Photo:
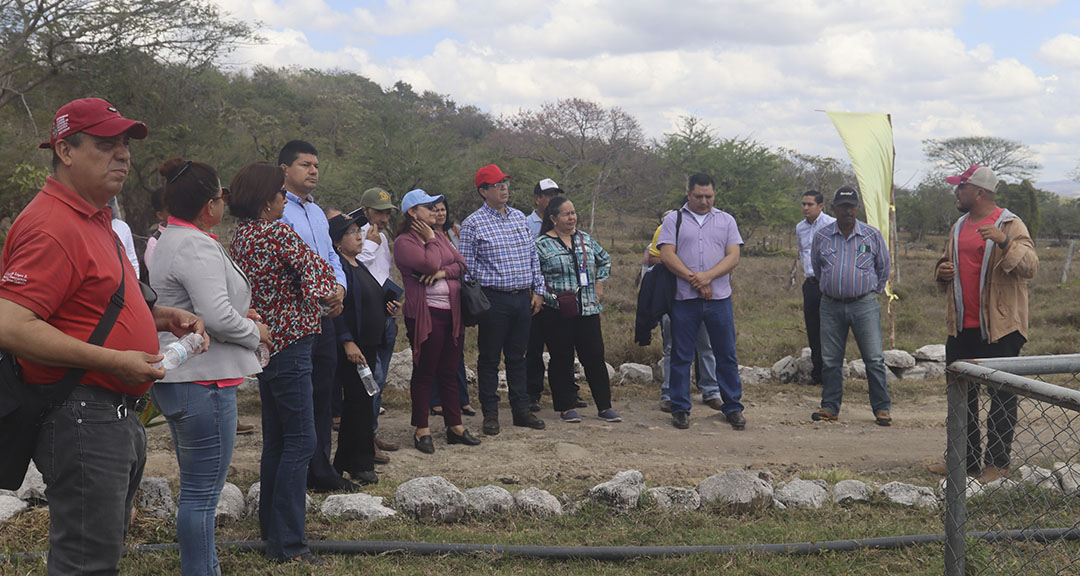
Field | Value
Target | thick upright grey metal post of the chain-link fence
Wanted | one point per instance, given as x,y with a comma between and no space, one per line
956,460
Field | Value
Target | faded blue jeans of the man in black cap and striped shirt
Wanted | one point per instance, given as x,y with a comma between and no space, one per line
865,319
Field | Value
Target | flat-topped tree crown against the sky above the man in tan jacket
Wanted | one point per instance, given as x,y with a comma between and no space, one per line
1008,158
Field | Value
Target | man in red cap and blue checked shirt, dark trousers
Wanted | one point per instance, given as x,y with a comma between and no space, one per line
502,257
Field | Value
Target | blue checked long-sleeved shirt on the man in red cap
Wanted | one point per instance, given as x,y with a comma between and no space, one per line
499,251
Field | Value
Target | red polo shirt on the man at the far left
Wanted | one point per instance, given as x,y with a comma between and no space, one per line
60,261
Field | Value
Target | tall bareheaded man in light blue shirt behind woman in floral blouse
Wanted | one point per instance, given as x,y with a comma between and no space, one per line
301,163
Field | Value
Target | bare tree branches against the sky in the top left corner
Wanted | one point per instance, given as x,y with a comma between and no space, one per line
40,39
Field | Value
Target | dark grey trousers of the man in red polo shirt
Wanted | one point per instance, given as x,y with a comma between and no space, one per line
91,456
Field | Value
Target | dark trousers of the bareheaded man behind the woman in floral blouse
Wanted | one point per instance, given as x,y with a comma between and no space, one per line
323,372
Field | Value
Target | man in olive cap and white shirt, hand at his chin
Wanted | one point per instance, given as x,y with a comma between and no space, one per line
377,207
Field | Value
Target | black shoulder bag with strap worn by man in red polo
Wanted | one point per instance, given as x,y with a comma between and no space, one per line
23,406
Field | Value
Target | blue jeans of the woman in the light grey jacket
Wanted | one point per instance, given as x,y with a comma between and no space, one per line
204,423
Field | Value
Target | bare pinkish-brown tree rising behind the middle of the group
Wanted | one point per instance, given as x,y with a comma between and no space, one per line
582,140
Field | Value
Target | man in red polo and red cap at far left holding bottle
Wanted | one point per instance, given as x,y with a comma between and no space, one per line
61,266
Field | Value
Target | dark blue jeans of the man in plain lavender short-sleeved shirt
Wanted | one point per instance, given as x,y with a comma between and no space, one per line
719,319
